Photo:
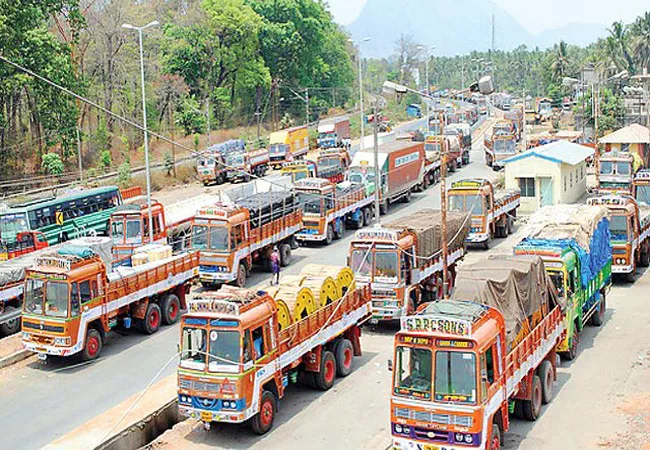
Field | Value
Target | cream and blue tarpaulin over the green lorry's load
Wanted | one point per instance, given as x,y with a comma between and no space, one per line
583,228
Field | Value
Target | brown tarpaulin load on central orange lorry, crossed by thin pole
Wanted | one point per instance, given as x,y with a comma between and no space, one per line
427,226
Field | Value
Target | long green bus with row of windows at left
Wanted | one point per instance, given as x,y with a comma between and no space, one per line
75,215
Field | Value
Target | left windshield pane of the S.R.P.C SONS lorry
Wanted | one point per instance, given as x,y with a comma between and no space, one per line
413,370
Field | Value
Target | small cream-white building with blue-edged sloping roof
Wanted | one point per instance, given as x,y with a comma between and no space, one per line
548,175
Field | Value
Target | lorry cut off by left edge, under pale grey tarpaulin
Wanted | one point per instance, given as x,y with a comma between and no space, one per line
12,280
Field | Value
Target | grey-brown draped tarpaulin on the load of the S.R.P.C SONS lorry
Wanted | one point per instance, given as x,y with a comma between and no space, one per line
518,286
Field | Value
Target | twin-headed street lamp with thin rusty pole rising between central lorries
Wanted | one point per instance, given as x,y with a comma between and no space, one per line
485,87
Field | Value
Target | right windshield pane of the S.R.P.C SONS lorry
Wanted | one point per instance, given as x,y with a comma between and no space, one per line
455,377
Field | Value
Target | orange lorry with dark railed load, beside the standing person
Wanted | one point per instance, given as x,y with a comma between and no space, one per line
243,229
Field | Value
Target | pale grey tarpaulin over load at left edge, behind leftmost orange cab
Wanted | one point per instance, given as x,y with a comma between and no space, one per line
13,271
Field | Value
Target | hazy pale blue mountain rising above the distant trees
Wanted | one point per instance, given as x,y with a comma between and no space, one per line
454,27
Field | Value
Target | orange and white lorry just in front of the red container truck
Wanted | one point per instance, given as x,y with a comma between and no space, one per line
327,208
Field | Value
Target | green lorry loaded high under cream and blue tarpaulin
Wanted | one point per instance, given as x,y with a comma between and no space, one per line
573,241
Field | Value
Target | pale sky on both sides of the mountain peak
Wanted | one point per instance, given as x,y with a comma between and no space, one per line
534,15
